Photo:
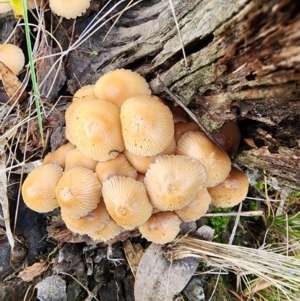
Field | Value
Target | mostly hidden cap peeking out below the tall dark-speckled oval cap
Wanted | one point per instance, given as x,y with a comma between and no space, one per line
141,164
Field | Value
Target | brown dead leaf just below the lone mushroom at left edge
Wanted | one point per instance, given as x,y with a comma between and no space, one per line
12,85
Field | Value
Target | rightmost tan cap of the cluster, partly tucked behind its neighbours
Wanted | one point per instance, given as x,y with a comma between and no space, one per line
231,191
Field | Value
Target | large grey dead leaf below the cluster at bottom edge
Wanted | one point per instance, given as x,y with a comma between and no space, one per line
157,279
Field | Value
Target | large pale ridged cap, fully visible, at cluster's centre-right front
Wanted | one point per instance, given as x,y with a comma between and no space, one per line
173,181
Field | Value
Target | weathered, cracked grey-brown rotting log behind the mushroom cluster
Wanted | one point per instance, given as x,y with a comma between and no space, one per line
242,64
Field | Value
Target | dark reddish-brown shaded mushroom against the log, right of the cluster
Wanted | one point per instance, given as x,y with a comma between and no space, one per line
229,137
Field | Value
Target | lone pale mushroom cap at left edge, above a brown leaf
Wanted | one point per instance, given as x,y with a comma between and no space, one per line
13,57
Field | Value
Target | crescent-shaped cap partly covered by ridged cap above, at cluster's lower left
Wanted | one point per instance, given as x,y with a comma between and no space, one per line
93,221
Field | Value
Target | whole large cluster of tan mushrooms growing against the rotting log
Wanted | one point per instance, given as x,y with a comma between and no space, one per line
132,161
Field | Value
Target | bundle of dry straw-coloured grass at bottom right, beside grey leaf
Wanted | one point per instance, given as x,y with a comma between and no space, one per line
280,271
